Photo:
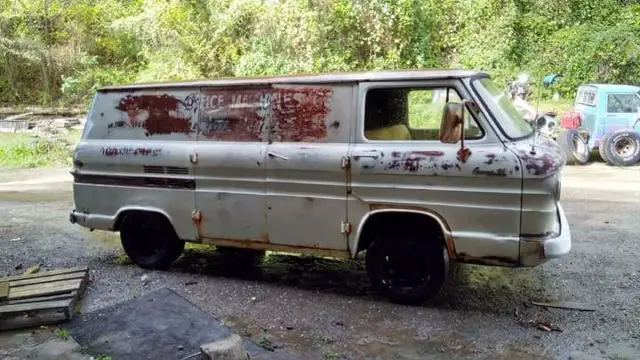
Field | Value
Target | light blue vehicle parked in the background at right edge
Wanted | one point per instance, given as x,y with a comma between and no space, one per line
607,118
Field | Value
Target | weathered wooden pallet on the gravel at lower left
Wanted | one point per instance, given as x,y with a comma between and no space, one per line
38,294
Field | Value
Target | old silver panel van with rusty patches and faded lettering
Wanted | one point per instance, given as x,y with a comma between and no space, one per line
413,168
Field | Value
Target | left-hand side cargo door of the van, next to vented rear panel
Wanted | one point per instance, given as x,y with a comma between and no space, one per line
230,169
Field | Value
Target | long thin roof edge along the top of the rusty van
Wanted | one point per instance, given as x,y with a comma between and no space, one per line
344,77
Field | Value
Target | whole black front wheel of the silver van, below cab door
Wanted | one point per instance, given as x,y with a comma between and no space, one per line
425,264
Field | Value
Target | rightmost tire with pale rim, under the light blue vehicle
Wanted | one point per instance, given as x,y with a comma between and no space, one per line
621,147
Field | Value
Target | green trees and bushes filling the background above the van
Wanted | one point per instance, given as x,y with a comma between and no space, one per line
63,50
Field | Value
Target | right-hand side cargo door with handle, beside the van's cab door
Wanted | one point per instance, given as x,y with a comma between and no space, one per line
306,185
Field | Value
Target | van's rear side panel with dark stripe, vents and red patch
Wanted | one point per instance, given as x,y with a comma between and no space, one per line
134,154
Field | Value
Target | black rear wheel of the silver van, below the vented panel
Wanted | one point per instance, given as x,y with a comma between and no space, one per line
150,240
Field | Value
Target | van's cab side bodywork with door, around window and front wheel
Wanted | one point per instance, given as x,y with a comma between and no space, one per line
479,200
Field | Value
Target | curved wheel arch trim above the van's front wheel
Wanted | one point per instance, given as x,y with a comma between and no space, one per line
368,220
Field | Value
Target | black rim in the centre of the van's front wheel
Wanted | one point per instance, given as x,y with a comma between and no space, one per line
405,266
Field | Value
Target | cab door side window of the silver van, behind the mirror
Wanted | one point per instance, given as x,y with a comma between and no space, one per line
411,114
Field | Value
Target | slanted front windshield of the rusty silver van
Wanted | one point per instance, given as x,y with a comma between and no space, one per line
509,119
